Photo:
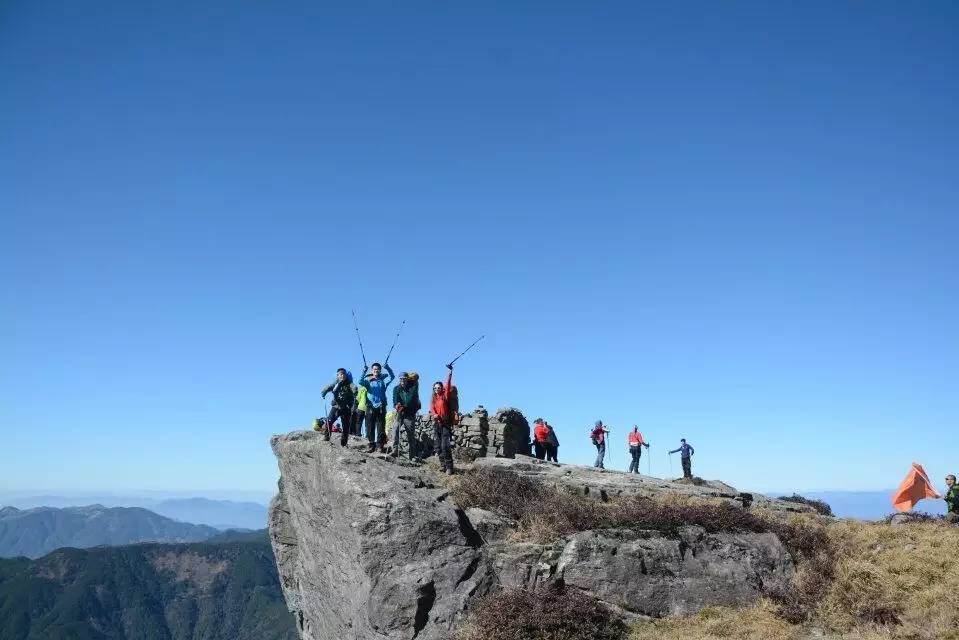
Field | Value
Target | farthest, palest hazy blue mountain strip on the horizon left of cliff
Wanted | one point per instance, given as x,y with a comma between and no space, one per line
222,514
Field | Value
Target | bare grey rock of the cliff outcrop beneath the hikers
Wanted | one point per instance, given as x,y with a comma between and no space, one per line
369,548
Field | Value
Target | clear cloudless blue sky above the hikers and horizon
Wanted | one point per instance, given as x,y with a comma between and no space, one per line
735,222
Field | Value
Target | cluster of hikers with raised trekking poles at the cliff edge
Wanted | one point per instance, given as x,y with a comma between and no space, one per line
355,404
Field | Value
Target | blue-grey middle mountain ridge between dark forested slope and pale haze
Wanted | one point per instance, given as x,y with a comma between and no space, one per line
36,532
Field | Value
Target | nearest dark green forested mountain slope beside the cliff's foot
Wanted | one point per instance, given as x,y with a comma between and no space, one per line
224,589
